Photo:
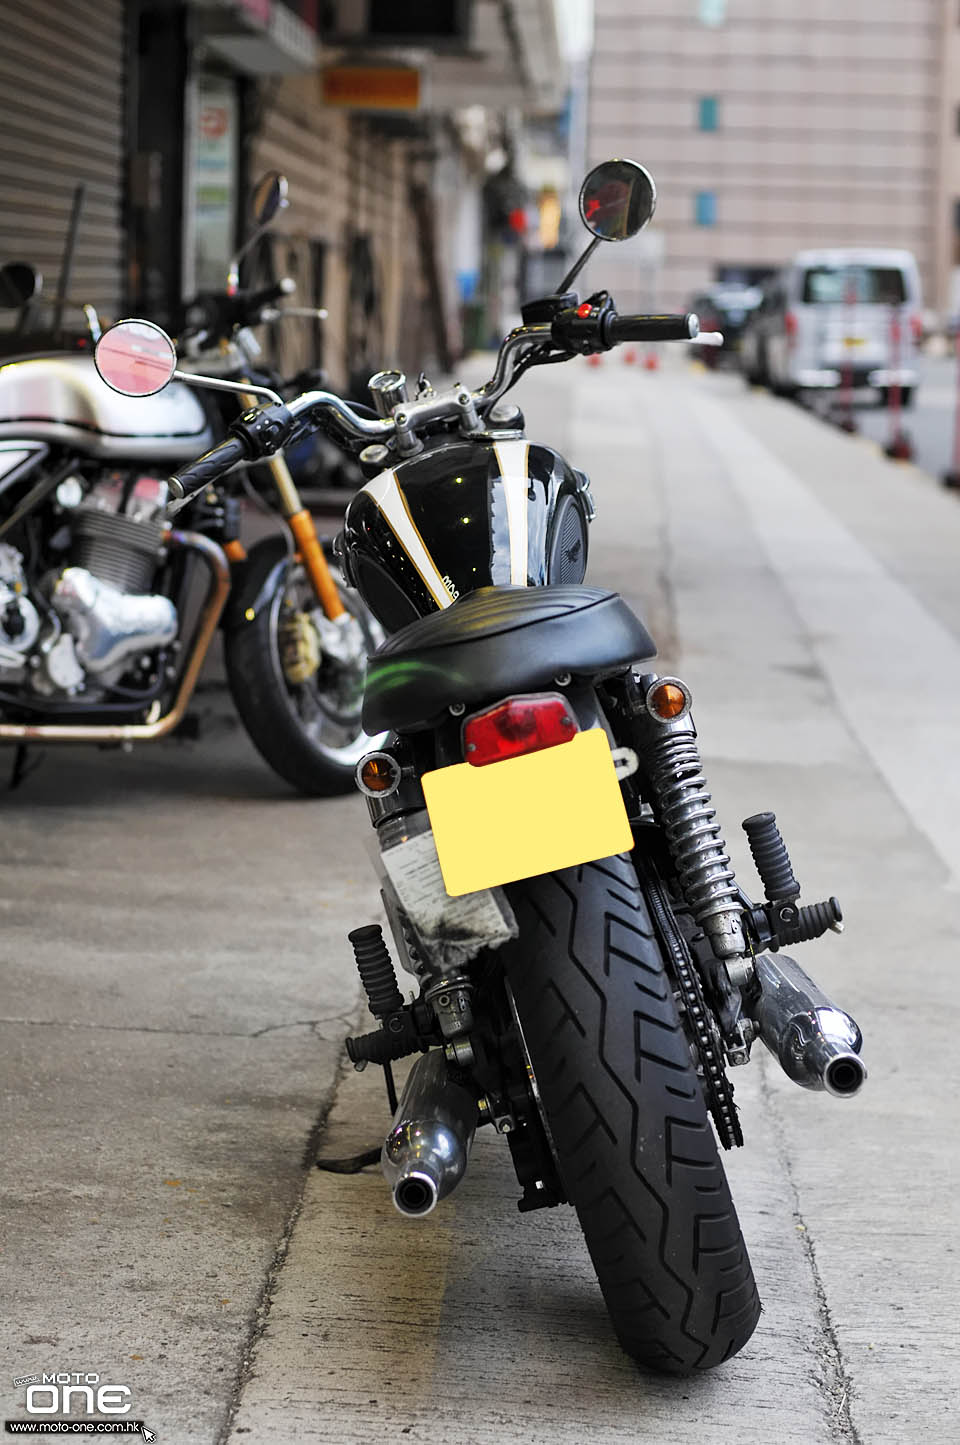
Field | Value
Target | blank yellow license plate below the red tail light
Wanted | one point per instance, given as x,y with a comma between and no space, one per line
527,816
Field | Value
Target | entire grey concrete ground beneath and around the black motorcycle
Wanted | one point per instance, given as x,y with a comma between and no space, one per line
177,986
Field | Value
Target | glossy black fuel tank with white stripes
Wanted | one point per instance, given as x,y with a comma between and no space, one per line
465,515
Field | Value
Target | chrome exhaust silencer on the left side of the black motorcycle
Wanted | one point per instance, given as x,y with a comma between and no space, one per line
426,1154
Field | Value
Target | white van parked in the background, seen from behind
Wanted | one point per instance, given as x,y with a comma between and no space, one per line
829,320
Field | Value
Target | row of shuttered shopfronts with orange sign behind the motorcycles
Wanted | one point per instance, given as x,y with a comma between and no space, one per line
167,112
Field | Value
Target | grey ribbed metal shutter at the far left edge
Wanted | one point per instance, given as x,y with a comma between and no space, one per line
61,122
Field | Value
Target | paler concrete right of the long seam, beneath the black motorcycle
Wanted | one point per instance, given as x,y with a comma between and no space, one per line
731,521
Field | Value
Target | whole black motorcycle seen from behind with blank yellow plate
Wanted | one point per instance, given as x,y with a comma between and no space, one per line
552,866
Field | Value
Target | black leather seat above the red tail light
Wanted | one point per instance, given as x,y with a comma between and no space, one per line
495,642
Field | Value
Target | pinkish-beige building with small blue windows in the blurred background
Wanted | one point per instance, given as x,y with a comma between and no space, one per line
779,125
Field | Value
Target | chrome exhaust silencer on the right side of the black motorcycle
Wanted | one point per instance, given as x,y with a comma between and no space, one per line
816,1044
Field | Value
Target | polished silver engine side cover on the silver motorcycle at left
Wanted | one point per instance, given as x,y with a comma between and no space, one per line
108,625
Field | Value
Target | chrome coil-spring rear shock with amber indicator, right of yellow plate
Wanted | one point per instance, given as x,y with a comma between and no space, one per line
687,816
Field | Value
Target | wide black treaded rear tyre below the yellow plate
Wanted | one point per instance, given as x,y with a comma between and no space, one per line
627,1118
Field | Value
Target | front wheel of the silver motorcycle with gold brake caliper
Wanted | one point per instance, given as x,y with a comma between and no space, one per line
297,680
